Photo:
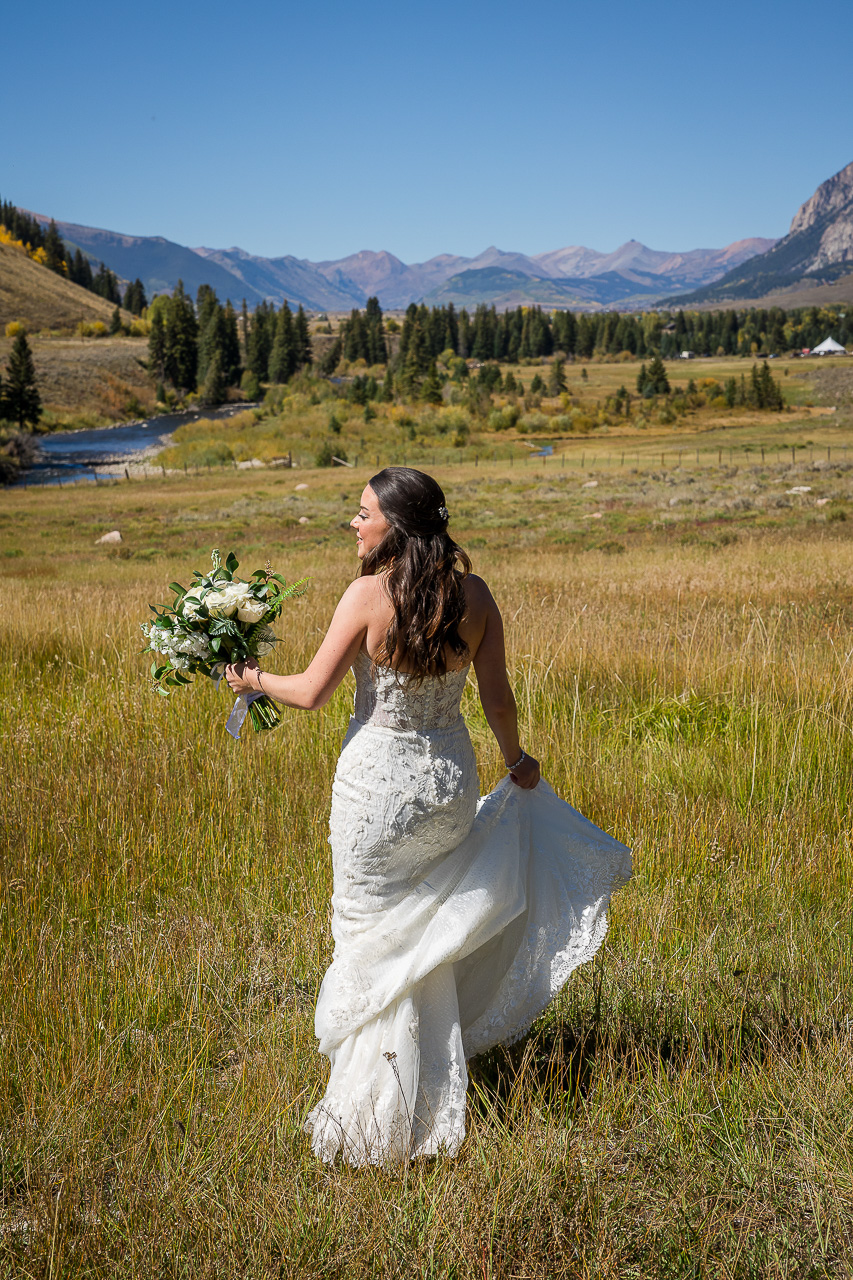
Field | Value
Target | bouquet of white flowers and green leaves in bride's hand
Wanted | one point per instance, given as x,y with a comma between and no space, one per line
218,620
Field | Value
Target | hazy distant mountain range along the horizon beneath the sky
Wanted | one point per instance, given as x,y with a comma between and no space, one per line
574,276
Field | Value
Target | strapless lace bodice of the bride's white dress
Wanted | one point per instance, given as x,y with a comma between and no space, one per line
394,701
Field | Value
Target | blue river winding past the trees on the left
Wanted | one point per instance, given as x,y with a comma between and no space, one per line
106,451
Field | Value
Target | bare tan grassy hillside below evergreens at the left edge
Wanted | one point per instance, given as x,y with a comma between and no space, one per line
42,299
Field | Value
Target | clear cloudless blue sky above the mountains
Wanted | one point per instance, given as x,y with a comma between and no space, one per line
321,130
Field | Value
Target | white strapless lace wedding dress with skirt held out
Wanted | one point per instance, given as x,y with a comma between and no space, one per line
455,918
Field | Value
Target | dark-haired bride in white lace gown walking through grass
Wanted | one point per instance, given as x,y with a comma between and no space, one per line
455,918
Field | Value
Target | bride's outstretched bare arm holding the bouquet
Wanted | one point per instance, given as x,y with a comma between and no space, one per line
313,688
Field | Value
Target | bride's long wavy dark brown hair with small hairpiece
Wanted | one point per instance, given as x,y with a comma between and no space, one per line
425,574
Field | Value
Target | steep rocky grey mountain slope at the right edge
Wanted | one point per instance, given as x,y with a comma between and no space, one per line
818,250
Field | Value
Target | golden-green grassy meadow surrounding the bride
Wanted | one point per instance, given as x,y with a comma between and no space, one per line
679,642
